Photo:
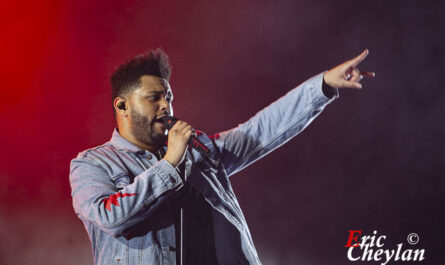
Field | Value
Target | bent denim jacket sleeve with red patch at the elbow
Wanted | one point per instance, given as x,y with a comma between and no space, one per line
97,200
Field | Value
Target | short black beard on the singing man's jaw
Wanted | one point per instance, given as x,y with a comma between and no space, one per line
142,129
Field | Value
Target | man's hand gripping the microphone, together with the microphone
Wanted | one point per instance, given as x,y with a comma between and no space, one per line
180,135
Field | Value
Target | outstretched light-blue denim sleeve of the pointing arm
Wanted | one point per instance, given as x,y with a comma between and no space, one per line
273,126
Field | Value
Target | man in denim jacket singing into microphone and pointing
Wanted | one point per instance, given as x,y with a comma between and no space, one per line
148,198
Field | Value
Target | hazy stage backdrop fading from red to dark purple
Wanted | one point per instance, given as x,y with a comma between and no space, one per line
373,160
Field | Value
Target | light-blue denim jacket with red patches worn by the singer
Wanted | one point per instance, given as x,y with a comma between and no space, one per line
122,193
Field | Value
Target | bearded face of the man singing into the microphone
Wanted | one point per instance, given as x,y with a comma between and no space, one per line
149,104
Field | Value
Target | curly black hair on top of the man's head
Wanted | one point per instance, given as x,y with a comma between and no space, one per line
127,76
